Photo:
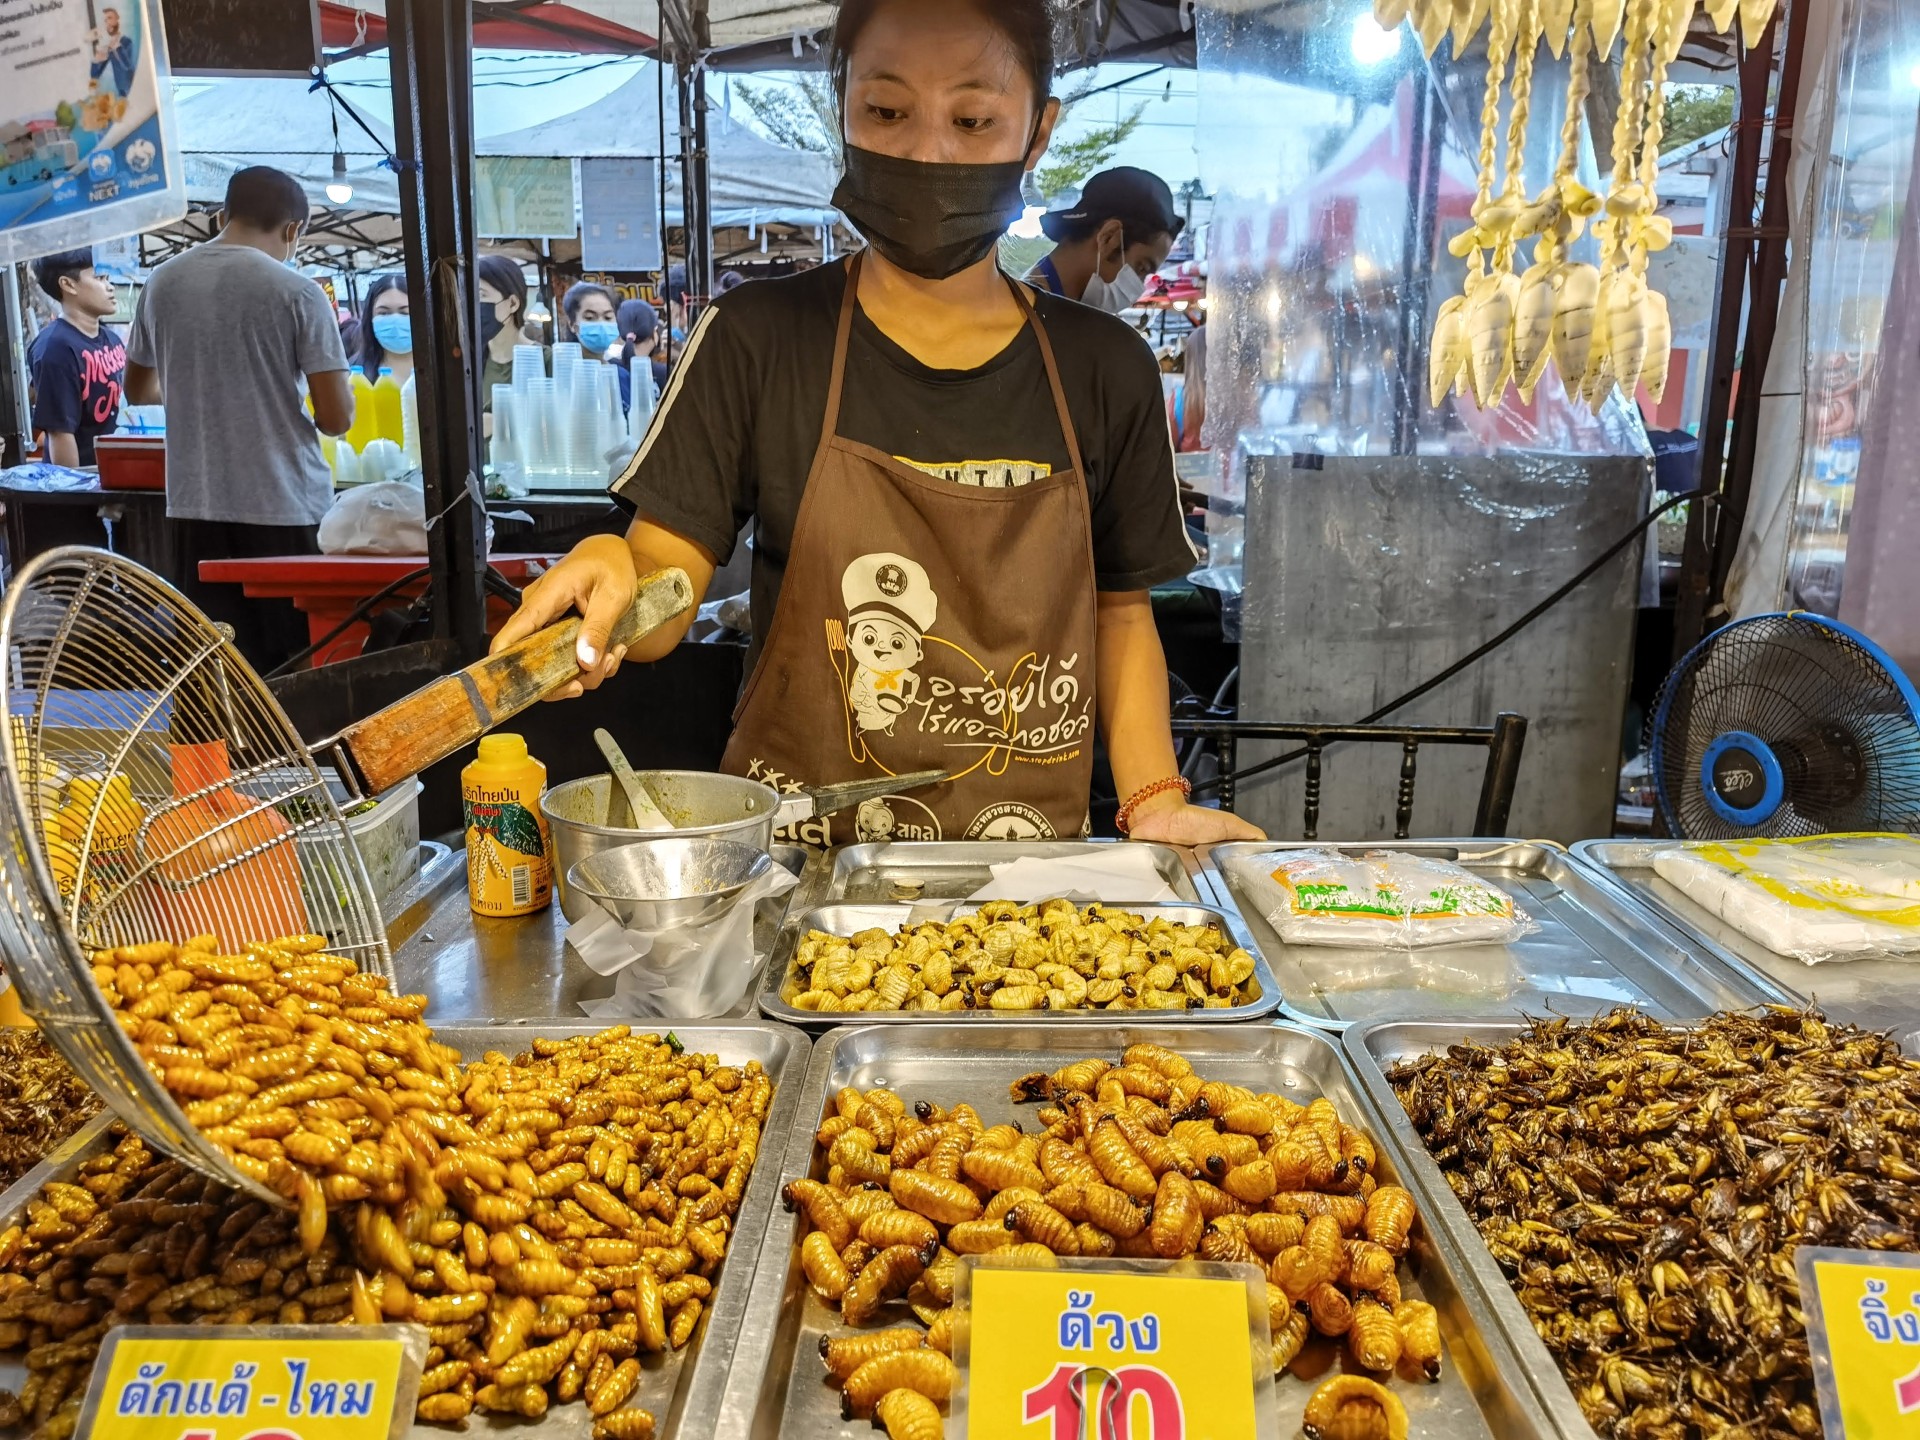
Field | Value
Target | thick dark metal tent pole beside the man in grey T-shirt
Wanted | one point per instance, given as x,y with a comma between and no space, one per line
431,49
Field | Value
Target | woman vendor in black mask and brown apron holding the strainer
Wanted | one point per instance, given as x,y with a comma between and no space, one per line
963,489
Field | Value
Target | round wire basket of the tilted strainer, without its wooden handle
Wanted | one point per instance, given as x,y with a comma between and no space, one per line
107,669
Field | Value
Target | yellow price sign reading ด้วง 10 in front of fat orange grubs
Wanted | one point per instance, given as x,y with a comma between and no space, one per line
1115,1351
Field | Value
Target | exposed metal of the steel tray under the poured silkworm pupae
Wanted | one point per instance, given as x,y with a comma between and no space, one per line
684,1389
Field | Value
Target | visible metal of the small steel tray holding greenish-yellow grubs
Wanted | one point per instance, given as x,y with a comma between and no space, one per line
853,919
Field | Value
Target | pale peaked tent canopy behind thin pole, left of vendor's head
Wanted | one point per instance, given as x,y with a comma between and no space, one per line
752,181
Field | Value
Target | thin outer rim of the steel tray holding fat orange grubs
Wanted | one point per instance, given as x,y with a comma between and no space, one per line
773,1260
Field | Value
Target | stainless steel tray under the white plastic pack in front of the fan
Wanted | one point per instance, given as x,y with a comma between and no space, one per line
1871,994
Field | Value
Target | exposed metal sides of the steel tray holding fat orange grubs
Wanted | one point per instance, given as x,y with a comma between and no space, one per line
779,1385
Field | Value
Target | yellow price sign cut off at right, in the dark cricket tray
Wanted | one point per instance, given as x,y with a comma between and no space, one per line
1863,1326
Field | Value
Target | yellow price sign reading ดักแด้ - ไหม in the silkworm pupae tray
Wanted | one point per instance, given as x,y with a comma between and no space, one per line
254,1383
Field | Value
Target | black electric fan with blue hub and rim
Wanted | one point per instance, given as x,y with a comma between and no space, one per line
1787,725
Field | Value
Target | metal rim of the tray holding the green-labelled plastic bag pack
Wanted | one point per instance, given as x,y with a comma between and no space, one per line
1727,972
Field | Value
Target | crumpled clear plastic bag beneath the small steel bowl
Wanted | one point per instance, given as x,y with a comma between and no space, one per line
690,972
